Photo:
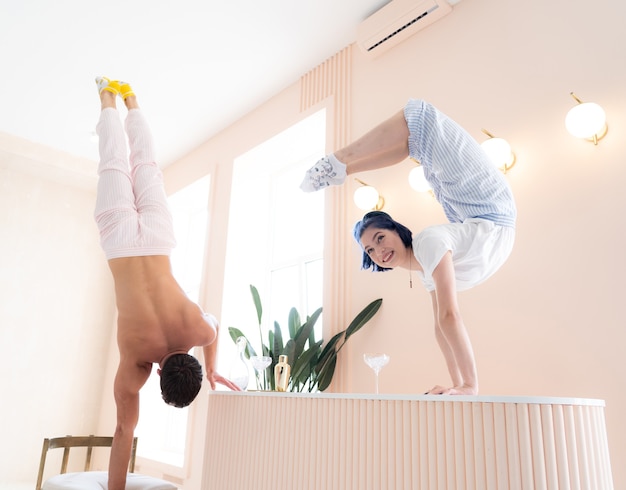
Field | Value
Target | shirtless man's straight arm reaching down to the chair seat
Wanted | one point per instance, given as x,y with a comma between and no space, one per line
128,381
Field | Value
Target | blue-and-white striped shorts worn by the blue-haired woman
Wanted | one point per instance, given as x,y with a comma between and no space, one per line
460,173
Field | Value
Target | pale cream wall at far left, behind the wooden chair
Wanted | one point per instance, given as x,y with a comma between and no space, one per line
57,309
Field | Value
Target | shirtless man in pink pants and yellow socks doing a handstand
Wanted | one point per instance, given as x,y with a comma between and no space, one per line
157,323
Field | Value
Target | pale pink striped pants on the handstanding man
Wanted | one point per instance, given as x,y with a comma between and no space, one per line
131,212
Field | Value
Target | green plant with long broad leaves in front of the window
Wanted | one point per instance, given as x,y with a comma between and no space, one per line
312,362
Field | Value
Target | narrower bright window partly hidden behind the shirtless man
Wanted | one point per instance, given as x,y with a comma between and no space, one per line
162,429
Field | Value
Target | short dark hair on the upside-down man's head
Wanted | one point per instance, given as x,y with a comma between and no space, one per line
181,379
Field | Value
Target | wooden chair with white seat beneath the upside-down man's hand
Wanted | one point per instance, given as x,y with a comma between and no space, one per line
87,479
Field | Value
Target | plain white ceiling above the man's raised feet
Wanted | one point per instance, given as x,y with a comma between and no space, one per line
196,65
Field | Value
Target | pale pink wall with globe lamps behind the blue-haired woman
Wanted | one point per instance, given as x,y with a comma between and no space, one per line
549,323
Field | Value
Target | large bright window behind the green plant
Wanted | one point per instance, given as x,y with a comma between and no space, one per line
276,234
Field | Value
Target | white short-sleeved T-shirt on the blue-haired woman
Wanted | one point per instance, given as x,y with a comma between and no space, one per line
479,248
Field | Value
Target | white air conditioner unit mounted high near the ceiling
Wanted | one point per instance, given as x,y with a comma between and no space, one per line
398,20
